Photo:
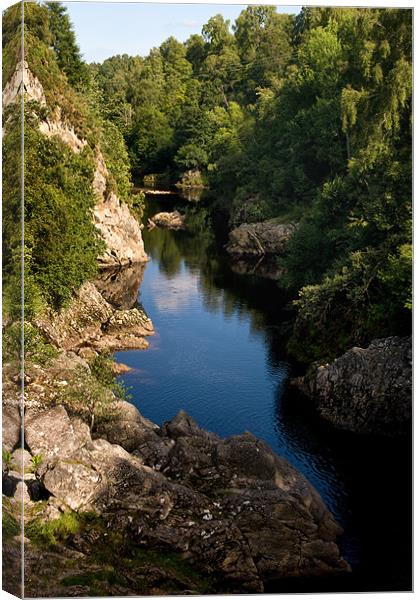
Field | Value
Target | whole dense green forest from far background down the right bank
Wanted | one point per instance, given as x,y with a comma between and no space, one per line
305,119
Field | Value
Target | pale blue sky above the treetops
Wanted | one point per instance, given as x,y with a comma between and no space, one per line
105,29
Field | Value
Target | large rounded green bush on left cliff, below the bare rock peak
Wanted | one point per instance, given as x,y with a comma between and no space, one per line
62,243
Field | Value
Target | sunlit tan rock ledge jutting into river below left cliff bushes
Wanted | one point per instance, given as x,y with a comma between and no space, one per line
92,321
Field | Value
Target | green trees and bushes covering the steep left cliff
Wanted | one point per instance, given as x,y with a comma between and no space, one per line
61,243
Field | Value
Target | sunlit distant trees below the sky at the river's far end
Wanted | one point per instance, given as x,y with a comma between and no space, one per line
182,107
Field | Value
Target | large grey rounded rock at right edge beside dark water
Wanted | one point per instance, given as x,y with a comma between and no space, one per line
365,390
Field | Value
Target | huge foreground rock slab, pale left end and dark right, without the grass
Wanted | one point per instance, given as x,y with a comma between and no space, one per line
229,507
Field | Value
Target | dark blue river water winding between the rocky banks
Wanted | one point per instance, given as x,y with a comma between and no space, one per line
219,353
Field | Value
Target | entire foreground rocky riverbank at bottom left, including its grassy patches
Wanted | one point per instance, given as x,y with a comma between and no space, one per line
233,516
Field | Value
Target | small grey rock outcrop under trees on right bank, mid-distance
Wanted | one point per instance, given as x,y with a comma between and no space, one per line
258,239
